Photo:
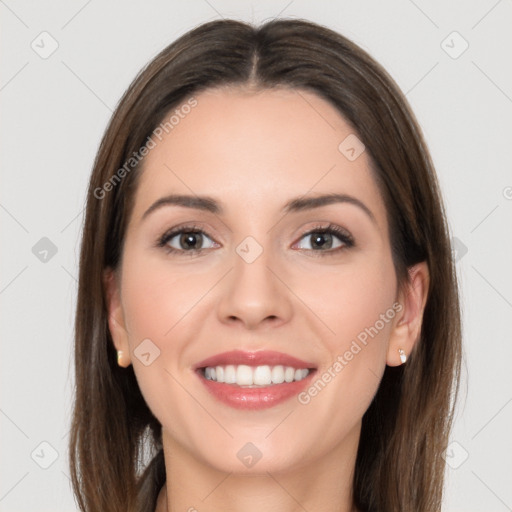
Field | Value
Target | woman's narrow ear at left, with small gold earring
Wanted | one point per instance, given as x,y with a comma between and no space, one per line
116,321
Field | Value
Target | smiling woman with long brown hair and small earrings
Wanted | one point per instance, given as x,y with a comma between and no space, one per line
268,315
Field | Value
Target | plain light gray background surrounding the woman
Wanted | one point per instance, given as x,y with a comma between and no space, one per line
55,108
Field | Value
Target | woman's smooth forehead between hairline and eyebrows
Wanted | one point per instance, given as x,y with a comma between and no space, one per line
256,149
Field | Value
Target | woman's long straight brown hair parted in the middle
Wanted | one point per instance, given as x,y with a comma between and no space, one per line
399,464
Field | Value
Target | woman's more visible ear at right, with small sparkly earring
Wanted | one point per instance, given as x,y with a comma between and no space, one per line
407,325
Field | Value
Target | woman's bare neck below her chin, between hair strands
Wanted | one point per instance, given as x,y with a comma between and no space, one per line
325,484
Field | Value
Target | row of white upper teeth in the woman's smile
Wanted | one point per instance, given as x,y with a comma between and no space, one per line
254,376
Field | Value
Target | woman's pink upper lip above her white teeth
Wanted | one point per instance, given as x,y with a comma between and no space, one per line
259,358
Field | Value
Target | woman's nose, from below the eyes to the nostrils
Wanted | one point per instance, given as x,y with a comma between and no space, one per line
255,293
